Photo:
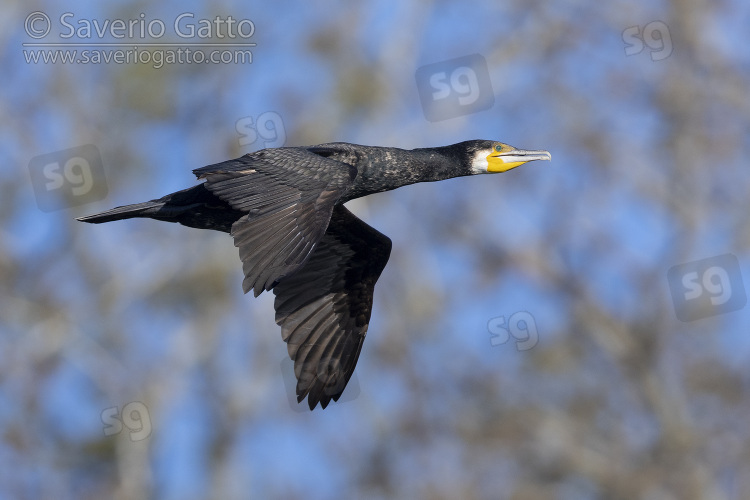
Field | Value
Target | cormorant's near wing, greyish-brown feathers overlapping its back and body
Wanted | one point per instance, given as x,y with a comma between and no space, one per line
288,195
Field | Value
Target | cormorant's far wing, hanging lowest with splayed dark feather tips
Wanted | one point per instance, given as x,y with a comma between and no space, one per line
324,308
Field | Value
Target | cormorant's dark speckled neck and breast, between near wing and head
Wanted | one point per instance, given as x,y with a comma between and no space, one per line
391,168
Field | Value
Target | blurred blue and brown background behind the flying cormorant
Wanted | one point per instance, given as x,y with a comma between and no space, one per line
132,366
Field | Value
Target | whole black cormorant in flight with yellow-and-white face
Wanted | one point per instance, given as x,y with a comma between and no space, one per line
284,207
